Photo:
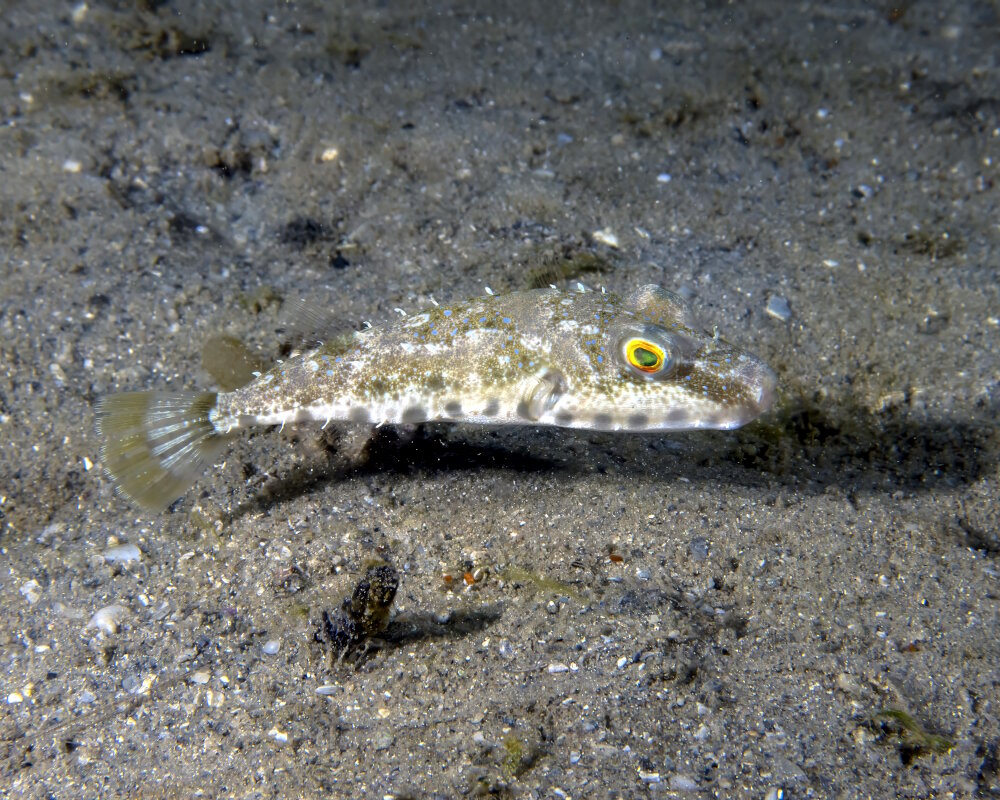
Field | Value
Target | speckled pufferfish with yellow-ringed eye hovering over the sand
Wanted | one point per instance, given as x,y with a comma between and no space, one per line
636,362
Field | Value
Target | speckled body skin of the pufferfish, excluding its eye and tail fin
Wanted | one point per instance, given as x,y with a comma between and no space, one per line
544,357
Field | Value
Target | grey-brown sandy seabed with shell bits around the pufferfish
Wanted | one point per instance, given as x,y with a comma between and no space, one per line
807,607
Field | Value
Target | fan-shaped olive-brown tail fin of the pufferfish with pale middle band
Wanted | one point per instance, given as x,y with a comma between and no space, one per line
156,444
